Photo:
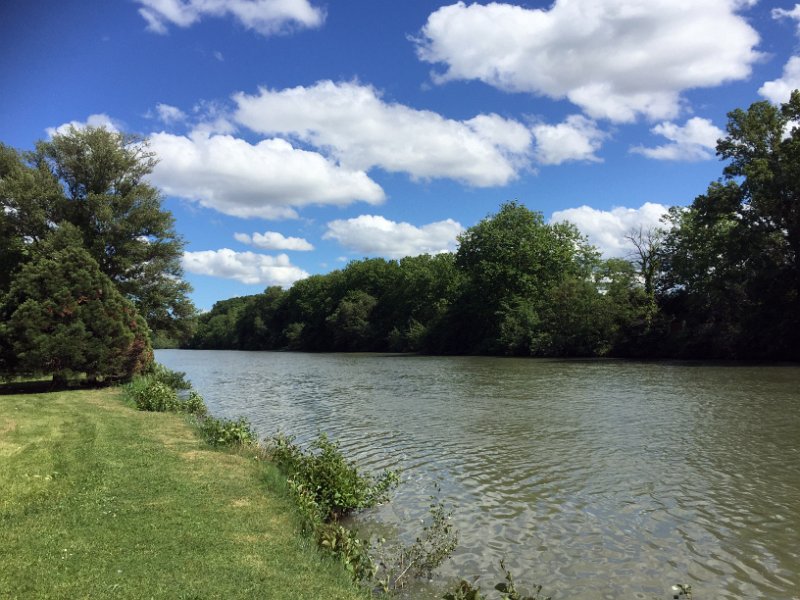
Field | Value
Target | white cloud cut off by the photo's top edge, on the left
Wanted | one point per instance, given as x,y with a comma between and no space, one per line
267,17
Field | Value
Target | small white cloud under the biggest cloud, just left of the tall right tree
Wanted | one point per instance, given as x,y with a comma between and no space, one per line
696,140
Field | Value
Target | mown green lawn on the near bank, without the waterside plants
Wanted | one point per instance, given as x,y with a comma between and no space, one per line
102,501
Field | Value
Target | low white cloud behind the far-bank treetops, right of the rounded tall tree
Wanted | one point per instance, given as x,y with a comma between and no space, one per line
606,229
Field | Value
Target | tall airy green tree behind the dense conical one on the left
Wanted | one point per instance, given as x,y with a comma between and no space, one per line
95,179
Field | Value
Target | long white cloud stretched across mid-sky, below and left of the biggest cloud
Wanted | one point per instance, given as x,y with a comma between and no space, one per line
362,131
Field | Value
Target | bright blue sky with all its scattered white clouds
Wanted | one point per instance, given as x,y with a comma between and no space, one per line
295,135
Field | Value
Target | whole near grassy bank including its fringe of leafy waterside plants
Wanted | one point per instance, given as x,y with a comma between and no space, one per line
108,498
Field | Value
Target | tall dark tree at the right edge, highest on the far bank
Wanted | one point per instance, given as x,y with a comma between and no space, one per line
732,276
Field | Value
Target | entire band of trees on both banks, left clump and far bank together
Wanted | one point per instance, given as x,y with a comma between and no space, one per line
90,275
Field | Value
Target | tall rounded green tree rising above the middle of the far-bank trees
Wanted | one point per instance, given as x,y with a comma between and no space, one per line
511,261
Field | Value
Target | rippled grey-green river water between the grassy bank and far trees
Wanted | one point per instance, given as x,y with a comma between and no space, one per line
597,479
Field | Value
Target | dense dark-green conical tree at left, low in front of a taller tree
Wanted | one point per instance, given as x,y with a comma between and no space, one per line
63,316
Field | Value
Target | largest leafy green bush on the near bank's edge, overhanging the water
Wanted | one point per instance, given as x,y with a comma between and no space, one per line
327,485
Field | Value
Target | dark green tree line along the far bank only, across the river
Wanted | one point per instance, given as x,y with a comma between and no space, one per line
719,279
